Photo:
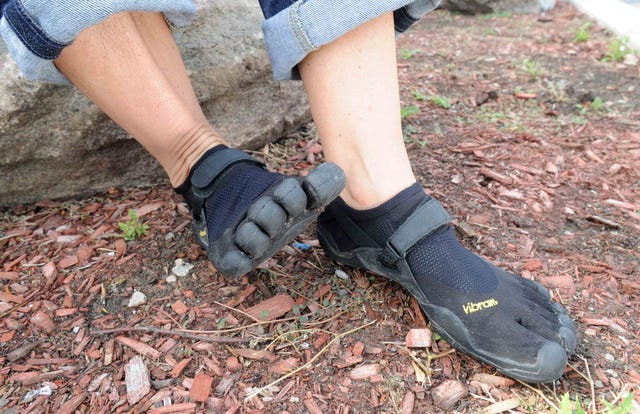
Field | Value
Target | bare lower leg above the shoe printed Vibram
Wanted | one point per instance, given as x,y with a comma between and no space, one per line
357,74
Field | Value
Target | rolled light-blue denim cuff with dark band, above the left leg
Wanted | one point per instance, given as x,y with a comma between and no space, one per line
36,31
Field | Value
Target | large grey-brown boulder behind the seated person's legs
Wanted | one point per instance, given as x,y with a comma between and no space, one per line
54,143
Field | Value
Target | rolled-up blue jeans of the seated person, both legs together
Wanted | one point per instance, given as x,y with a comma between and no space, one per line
36,31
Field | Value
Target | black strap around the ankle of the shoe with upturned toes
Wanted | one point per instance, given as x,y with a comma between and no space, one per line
209,169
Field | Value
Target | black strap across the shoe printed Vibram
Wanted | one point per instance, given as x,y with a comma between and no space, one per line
425,219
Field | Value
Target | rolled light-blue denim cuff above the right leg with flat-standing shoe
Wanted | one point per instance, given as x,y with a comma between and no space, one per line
305,25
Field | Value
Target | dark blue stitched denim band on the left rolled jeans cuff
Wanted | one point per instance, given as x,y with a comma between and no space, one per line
43,46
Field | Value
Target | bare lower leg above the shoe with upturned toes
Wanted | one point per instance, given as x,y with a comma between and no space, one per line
130,67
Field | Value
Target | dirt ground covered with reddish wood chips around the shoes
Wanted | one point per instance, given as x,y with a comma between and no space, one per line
527,133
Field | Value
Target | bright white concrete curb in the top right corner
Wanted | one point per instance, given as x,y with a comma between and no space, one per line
621,18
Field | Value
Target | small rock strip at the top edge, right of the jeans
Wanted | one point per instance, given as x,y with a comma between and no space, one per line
491,6
